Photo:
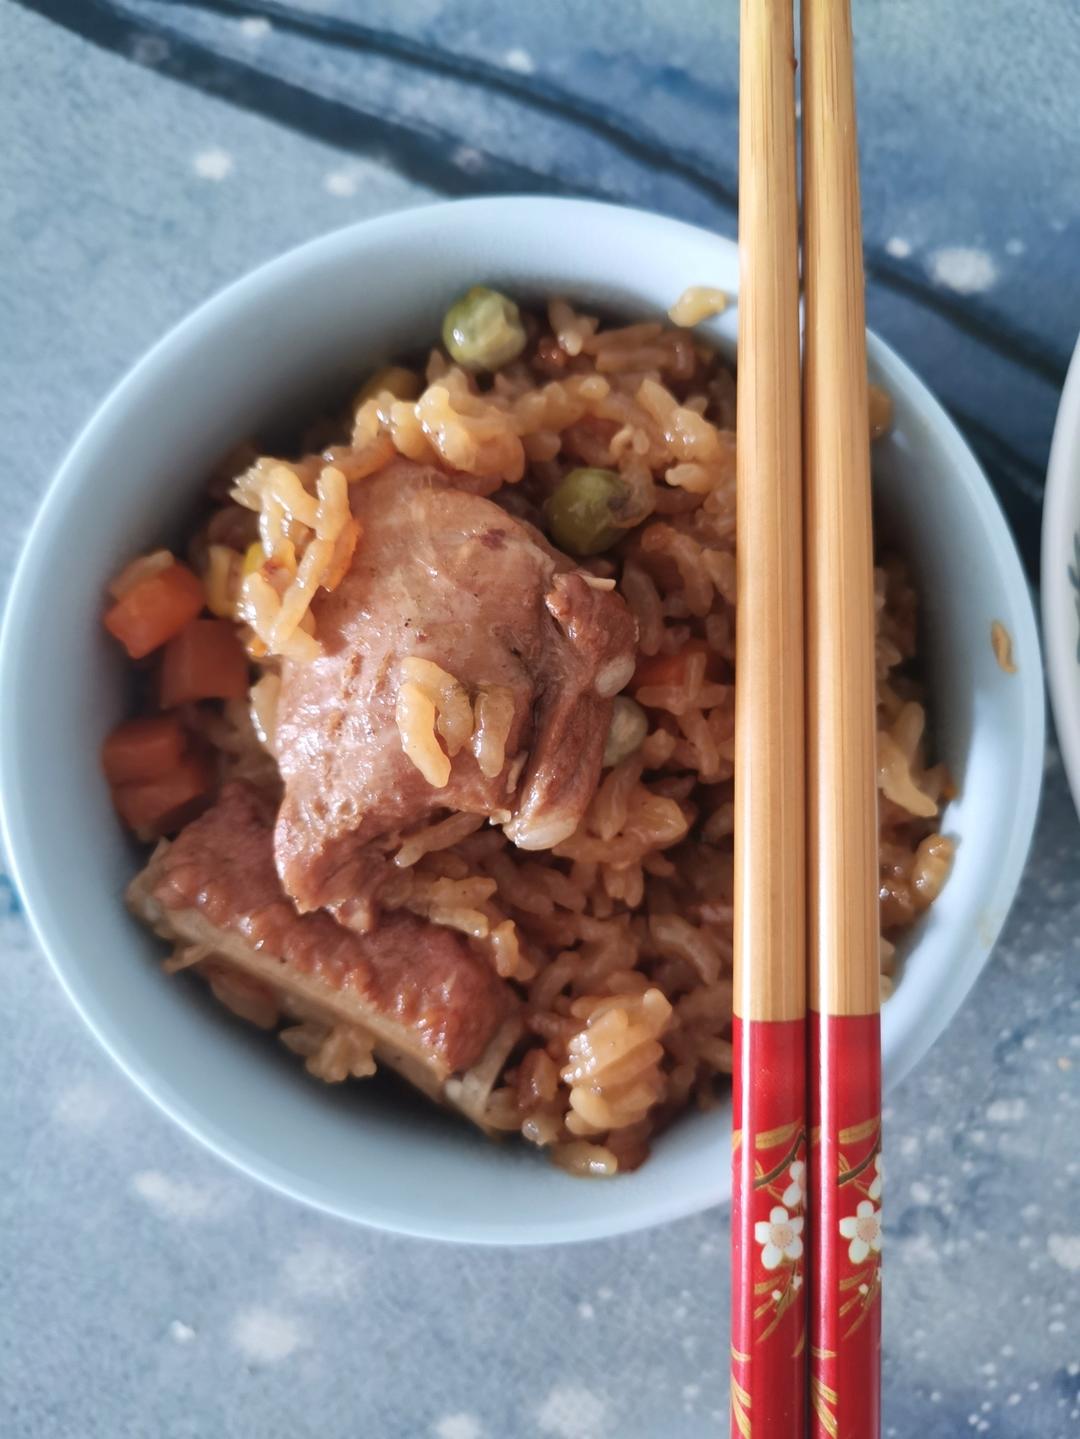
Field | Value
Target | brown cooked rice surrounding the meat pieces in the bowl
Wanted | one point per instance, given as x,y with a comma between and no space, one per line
616,938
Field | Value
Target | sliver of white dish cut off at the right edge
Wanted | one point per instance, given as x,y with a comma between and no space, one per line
1062,575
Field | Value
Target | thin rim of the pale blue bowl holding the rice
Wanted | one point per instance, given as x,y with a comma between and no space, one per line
911,1041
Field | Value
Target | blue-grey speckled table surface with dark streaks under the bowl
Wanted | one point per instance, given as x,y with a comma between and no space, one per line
155,152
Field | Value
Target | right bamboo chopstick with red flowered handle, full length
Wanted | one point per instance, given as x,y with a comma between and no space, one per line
843,939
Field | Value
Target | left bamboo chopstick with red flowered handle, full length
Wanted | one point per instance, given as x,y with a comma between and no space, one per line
770,1125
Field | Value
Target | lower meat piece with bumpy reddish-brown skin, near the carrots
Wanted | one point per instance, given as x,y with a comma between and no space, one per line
435,1009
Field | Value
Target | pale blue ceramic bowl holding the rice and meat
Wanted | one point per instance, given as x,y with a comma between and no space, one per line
280,339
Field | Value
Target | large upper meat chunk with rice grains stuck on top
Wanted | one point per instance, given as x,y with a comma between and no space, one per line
449,578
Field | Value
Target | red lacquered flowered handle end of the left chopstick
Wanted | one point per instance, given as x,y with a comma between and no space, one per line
769,1217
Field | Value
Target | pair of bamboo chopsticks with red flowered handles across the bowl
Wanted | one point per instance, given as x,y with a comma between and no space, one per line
806,1238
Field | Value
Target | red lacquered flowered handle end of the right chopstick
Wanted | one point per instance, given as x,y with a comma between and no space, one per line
846,1244
